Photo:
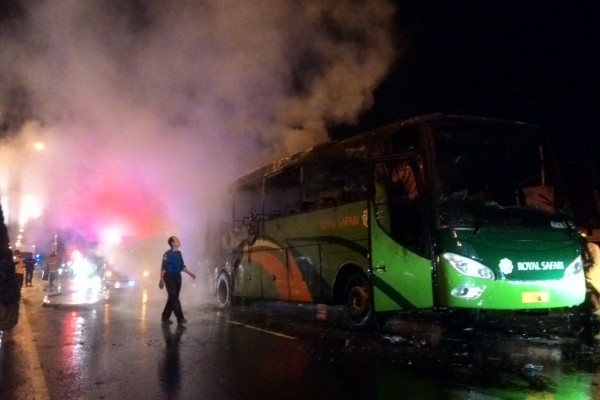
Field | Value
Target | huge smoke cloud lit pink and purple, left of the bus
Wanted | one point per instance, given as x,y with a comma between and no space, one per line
147,109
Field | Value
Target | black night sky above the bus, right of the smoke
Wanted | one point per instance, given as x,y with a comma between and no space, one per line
534,61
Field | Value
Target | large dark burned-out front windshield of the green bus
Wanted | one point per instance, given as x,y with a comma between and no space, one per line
495,178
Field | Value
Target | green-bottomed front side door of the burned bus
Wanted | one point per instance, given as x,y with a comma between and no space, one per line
401,271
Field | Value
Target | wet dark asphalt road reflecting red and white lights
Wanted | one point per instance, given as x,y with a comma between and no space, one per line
116,348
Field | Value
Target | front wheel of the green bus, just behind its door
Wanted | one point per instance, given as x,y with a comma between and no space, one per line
357,301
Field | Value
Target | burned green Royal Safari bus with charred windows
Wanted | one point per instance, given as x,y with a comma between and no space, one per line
437,212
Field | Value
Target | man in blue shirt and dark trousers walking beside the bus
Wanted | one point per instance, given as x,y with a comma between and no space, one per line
170,277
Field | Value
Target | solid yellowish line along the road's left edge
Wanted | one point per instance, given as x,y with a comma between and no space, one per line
34,372
